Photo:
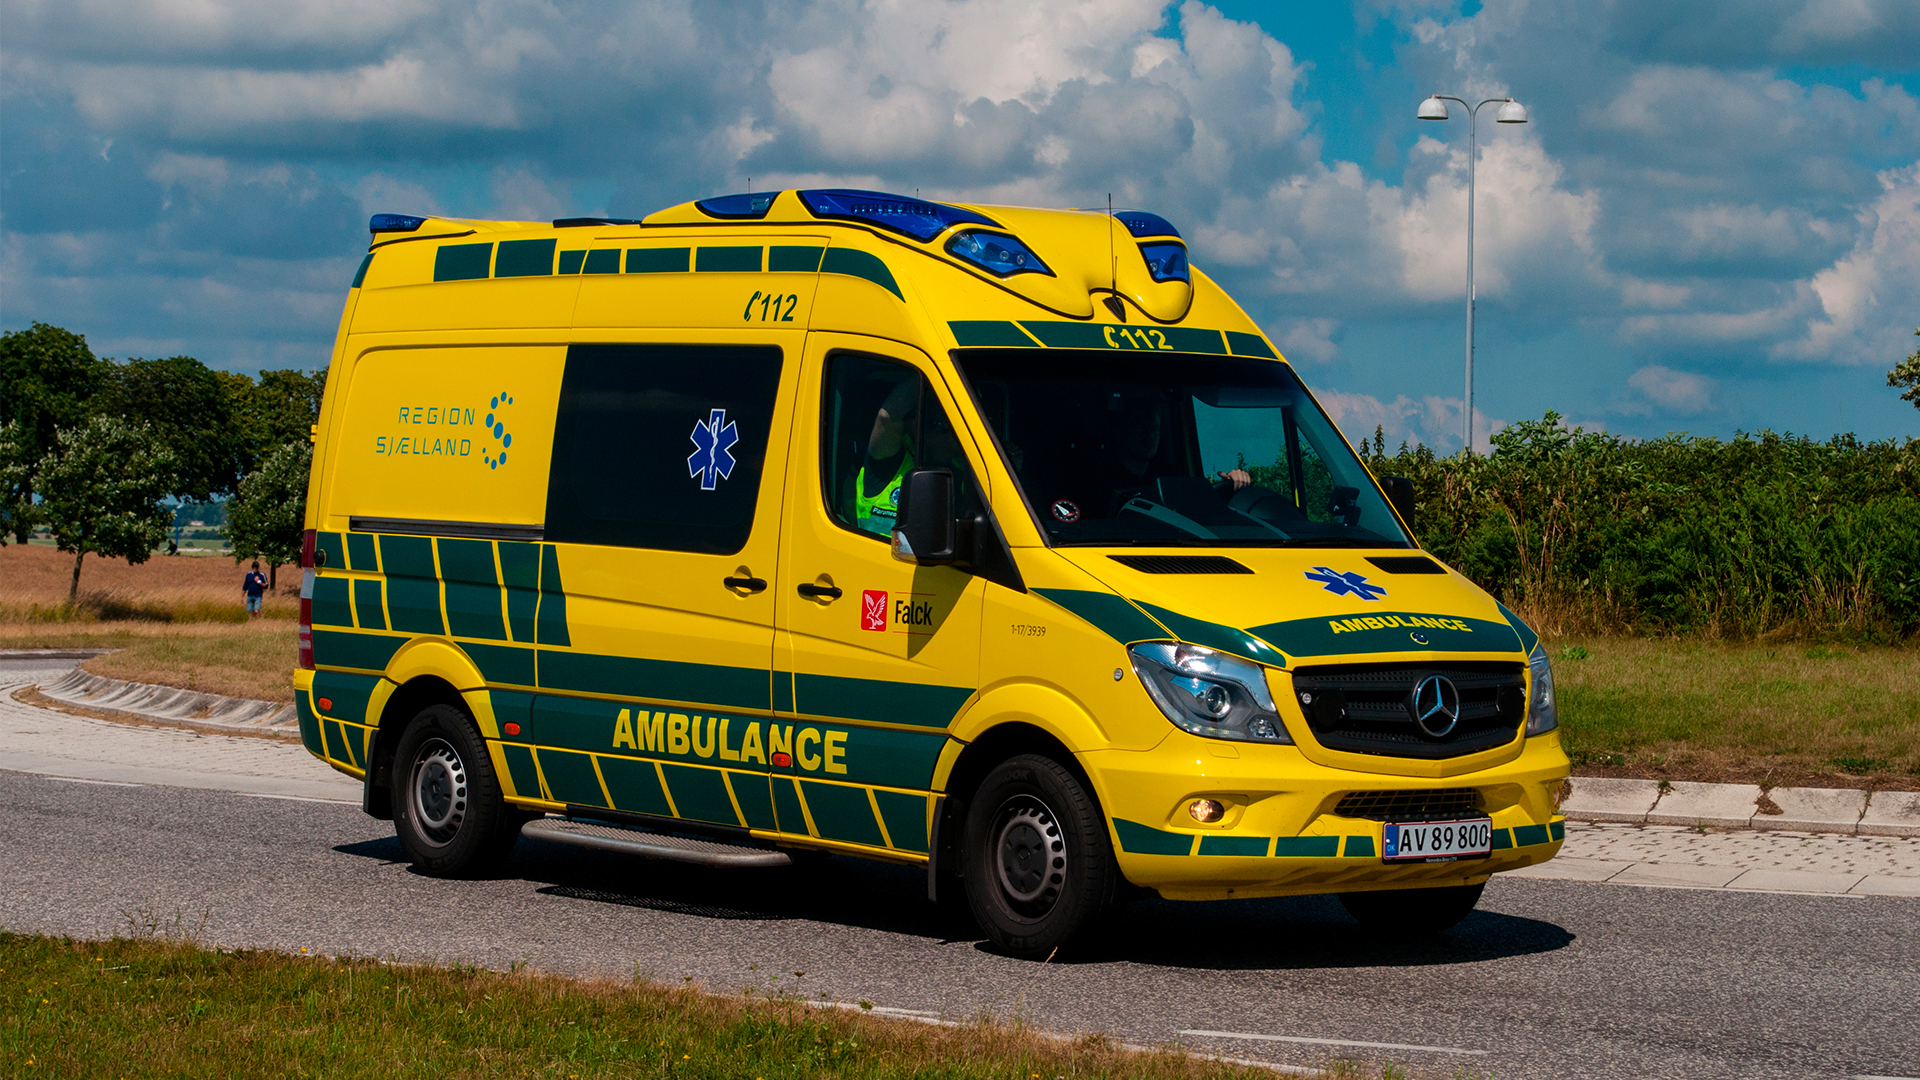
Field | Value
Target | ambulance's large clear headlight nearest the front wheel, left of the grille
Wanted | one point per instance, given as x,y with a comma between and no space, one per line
1209,693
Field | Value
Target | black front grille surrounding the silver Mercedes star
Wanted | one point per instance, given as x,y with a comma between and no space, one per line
1368,708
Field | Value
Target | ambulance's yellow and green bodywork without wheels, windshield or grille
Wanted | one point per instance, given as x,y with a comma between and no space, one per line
686,677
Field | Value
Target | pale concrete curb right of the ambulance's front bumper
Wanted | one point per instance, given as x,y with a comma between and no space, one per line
1852,812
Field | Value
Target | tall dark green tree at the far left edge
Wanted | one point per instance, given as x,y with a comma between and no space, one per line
49,381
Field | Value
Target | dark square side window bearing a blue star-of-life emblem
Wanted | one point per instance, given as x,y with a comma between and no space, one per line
661,447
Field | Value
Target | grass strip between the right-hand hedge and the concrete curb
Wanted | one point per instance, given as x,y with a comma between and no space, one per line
1792,714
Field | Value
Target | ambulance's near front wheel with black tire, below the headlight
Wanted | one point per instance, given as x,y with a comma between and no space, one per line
1040,870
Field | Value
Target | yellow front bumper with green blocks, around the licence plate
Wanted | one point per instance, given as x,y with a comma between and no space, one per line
1282,835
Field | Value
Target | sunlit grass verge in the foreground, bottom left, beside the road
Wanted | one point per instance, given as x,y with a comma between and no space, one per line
168,1008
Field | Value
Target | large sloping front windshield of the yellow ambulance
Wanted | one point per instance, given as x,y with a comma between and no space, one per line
1176,451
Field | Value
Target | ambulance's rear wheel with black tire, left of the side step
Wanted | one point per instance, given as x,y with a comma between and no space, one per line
448,808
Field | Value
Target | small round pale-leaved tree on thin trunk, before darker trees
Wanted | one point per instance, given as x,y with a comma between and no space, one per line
101,493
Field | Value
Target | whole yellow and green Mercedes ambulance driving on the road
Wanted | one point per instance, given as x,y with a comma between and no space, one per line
978,539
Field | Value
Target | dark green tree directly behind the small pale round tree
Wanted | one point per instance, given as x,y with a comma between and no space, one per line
191,412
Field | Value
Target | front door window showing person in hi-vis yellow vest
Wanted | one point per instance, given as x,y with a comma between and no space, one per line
880,422
